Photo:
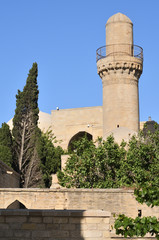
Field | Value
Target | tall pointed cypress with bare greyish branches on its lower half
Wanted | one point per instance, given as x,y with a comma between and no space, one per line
26,132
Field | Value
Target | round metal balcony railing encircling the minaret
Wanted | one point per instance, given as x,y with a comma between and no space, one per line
119,50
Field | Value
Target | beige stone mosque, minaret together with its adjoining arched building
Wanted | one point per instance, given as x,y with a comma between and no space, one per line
119,65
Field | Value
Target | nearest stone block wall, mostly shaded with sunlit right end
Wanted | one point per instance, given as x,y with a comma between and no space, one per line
54,224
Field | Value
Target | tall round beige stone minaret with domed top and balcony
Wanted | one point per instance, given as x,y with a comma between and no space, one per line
119,65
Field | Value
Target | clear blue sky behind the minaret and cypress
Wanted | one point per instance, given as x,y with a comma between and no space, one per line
62,37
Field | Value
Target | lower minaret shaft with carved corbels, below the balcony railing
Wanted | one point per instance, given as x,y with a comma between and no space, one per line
120,77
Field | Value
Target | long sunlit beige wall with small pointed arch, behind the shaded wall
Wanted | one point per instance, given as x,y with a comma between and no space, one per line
112,200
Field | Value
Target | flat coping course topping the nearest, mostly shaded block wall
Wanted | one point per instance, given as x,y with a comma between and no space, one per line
54,213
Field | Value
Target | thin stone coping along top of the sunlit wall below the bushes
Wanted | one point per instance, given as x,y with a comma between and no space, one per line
47,190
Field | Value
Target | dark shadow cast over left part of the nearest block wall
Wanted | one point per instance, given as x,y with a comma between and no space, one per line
42,224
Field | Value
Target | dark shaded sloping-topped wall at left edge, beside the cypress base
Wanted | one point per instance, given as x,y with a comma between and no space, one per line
8,177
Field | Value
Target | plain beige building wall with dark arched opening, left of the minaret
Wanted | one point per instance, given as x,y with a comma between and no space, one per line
68,122
